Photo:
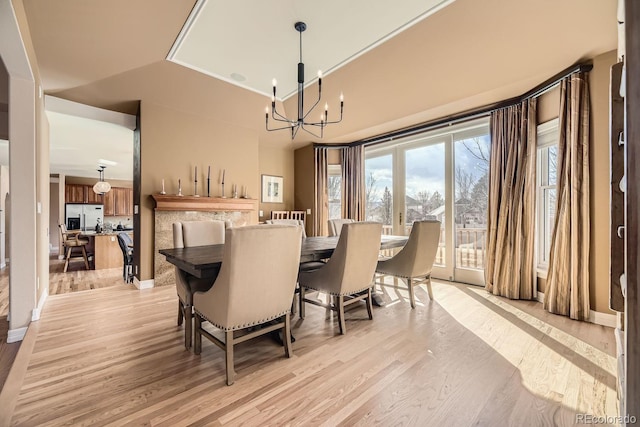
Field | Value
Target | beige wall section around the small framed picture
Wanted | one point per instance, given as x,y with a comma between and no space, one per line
278,162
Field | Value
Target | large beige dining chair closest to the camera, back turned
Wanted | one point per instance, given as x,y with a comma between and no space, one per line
254,287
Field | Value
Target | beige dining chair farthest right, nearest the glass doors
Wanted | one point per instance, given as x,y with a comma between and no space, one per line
414,261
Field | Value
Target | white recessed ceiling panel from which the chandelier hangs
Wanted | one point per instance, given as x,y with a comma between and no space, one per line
254,39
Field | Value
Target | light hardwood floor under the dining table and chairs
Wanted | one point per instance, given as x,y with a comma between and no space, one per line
115,356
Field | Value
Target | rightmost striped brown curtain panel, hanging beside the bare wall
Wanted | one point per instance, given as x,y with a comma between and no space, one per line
567,291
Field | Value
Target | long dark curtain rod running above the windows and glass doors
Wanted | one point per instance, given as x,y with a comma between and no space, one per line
471,114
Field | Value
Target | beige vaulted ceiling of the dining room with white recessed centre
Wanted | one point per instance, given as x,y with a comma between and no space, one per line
110,54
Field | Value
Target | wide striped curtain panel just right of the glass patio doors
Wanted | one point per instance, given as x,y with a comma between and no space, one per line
509,269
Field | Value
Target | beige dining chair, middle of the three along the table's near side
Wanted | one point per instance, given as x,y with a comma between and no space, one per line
348,274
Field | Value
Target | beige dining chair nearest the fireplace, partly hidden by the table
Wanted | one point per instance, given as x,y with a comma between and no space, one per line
187,234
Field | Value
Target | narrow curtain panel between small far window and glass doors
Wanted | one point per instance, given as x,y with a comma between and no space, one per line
353,186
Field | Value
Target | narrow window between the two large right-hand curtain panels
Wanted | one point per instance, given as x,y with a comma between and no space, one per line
546,189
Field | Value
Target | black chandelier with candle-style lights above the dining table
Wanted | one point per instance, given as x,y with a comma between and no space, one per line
302,122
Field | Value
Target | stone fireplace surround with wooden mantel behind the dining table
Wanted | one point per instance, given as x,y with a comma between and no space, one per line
170,209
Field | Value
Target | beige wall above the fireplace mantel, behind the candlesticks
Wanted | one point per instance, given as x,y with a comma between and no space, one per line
173,143
